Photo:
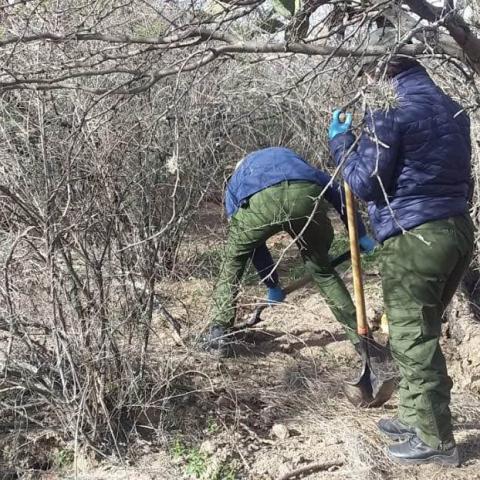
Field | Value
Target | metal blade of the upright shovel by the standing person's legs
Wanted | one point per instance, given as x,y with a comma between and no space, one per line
372,388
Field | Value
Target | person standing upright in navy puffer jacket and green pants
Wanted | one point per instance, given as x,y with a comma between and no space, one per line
411,164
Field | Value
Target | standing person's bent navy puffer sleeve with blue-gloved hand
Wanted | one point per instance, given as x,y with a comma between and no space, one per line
371,164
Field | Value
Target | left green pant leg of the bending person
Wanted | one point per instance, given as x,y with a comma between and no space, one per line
248,229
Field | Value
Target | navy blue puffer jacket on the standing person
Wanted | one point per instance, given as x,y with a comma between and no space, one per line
411,163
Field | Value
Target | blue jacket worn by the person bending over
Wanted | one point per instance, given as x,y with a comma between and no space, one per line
266,168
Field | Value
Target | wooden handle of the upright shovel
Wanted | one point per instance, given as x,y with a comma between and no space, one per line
362,326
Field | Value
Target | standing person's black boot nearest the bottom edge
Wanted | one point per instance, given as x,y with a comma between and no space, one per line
415,452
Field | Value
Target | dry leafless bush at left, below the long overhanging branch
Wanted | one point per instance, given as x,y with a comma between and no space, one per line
97,197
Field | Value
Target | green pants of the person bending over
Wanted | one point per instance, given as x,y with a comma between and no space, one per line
284,207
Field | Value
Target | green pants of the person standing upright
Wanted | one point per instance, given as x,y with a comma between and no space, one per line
420,272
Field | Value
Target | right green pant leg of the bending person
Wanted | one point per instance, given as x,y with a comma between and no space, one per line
314,234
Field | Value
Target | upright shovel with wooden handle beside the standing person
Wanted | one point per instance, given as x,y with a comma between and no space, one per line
372,388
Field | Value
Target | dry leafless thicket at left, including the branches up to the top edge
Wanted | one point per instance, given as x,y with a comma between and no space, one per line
119,120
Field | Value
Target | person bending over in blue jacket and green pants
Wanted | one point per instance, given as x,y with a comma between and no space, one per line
274,190
